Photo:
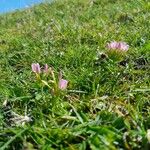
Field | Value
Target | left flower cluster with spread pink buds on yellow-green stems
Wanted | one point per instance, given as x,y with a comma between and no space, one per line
59,83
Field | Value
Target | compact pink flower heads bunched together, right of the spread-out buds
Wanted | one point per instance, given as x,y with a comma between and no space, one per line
122,46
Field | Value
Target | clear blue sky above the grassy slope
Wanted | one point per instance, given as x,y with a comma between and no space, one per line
10,5
